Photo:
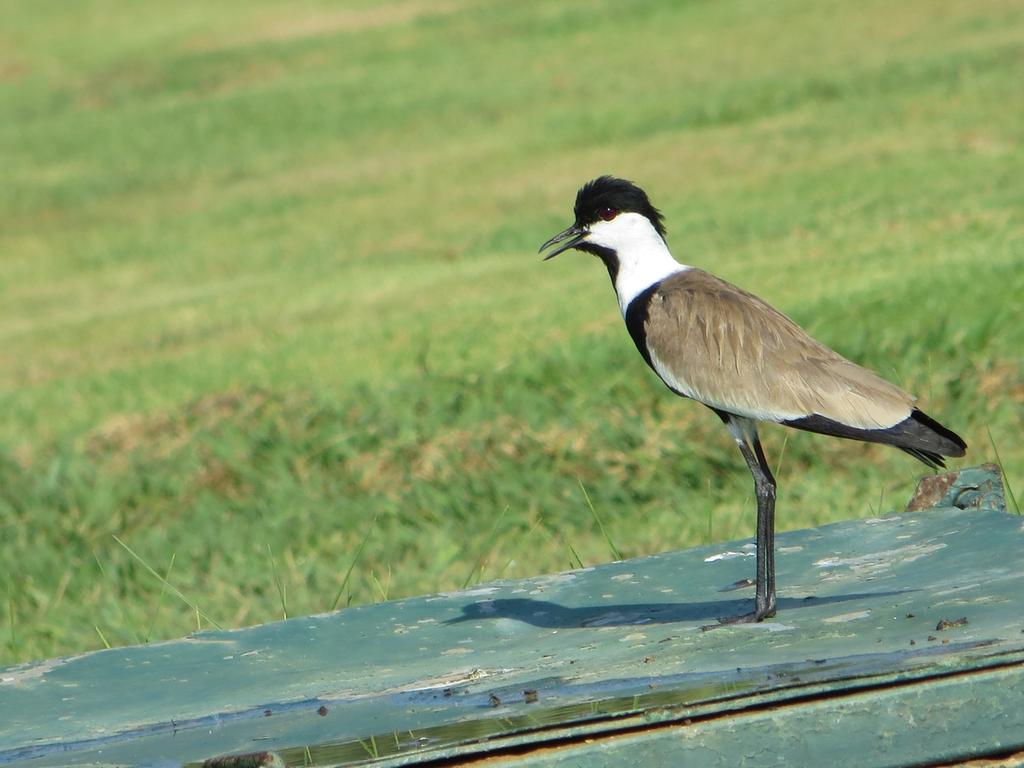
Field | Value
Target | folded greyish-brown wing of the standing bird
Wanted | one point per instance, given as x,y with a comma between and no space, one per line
730,350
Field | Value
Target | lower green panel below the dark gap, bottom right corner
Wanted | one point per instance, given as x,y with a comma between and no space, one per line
957,716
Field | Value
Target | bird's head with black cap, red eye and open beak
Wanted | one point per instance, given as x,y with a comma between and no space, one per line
612,216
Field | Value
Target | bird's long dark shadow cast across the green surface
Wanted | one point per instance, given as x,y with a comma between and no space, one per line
552,616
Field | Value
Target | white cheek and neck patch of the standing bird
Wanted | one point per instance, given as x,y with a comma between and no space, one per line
644,257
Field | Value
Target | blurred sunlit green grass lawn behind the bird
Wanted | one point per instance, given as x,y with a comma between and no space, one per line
274,335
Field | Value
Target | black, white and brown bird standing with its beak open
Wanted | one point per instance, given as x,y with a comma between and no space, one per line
713,343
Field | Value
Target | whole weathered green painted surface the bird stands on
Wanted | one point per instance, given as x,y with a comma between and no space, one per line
615,654
